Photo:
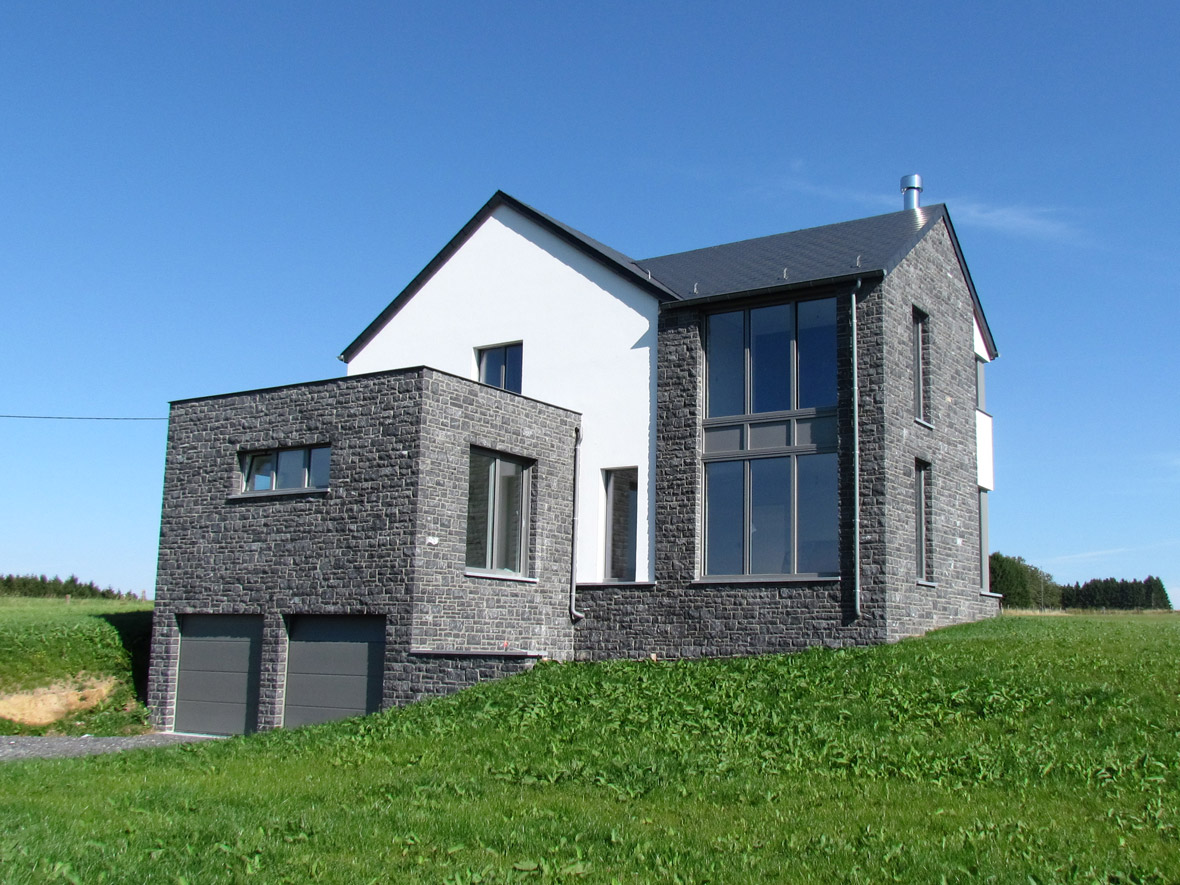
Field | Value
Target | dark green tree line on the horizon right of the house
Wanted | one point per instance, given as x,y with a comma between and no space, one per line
1026,587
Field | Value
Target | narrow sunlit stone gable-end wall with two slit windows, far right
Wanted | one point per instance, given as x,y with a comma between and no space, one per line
930,280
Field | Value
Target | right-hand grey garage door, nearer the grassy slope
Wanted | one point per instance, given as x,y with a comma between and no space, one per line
335,667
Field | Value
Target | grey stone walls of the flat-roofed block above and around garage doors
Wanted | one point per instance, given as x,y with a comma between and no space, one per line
388,537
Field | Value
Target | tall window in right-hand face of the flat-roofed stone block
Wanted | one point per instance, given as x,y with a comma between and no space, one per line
497,513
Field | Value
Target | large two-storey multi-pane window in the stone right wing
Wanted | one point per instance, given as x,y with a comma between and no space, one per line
770,442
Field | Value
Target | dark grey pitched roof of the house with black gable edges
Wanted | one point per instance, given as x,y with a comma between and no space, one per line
829,254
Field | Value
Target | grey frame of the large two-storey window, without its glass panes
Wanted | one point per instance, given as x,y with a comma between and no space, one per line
786,424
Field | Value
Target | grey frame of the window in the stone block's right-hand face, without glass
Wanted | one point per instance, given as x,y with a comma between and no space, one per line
494,533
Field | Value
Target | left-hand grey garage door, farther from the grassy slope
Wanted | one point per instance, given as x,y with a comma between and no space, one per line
218,685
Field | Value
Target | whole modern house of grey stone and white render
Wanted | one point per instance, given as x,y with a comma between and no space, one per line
545,449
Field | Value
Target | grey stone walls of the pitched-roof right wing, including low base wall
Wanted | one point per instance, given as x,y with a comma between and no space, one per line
683,615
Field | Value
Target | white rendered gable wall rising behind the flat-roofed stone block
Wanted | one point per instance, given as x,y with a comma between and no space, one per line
589,345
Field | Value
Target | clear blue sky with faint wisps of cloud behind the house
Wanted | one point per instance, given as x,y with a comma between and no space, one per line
198,199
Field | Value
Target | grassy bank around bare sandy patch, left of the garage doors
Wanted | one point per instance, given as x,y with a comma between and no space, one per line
48,641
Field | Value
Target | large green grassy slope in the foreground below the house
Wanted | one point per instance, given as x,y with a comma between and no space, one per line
1020,750
